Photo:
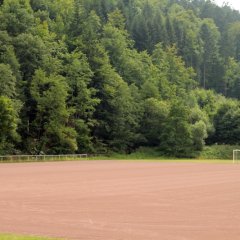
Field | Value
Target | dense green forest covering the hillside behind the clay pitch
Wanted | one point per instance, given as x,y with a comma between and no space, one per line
90,76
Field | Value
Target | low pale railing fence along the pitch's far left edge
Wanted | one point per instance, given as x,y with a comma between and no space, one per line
16,158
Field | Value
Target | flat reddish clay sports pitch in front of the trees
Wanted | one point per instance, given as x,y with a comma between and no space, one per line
117,200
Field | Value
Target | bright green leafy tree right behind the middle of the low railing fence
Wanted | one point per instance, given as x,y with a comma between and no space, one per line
51,128
